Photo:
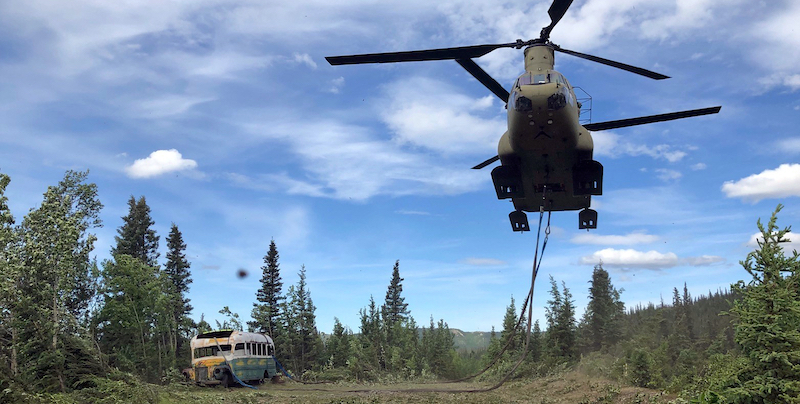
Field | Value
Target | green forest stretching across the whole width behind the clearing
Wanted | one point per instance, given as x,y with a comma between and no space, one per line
75,330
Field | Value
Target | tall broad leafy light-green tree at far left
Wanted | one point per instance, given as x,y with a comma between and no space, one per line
55,283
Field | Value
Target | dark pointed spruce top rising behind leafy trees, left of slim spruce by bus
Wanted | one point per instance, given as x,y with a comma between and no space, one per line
136,237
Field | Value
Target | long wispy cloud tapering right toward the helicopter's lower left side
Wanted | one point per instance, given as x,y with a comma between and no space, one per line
346,162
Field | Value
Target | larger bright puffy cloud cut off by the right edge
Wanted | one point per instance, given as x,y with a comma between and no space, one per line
781,182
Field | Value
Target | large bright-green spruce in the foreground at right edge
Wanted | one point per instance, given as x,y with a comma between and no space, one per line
767,321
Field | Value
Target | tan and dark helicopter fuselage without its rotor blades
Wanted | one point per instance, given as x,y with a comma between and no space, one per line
545,141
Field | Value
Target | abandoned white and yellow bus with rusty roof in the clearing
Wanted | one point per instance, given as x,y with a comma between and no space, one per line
219,355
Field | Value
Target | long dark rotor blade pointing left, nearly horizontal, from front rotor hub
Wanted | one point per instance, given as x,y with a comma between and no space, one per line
463,52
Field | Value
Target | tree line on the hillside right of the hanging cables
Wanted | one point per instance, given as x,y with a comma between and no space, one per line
736,345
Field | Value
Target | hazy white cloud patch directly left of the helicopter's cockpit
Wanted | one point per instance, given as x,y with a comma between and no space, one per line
434,115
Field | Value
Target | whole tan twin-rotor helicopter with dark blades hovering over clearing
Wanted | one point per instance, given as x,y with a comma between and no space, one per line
546,155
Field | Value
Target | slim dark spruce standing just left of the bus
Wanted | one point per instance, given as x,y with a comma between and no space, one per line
178,279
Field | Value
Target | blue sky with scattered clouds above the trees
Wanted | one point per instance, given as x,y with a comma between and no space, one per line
226,117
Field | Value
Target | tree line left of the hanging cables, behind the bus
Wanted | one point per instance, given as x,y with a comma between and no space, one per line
65,318
